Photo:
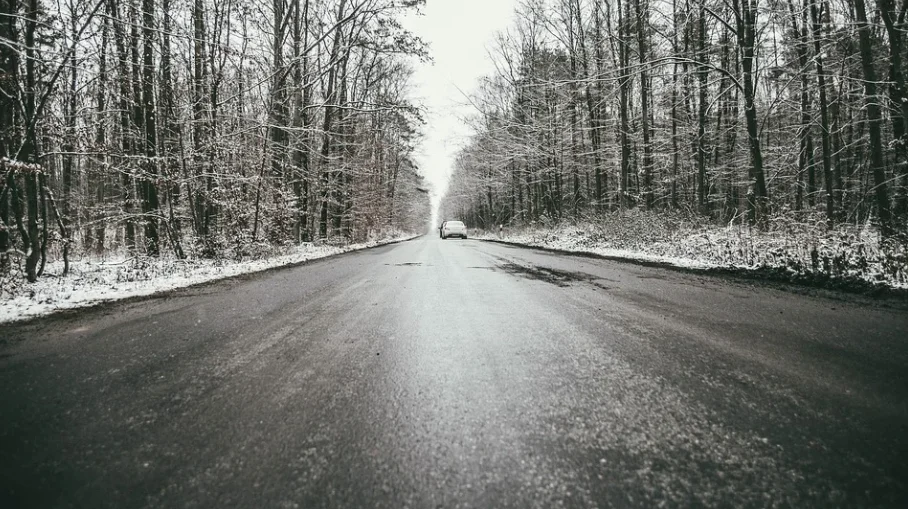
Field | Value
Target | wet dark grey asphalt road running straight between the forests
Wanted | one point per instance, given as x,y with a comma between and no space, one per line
459,374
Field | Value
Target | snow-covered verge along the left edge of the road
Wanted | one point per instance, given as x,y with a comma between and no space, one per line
91,282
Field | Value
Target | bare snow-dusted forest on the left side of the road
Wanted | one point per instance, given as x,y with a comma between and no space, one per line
203,128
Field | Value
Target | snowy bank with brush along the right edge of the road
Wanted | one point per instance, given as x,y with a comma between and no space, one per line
845,257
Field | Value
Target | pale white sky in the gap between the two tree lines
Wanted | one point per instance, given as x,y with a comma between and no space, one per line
460,34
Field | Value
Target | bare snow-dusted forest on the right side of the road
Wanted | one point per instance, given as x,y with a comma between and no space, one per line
761,113
